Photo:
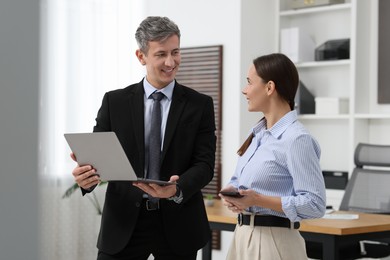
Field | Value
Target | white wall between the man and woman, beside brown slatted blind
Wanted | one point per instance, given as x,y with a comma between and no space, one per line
241,28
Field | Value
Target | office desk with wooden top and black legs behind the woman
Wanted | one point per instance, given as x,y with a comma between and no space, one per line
331,233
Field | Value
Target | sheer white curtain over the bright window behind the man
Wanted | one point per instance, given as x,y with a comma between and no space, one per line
87,49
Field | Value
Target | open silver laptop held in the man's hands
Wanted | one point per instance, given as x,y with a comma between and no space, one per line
104,152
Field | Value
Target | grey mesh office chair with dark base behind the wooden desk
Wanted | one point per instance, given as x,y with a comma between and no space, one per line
367,191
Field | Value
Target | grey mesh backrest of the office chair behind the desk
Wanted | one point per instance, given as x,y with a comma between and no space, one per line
368,190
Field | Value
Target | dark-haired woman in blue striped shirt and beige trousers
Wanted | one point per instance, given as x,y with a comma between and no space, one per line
278,175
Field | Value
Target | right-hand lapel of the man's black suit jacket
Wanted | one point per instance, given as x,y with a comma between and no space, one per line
177,107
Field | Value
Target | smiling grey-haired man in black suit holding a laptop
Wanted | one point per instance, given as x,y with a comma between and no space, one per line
169,222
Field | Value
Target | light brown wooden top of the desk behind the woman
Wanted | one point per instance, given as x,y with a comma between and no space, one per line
366,223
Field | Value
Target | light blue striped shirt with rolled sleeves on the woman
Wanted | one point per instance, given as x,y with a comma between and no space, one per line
283,161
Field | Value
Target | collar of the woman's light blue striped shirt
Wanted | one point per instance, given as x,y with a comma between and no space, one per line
277,129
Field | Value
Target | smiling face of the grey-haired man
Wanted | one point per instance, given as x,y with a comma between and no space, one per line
162,61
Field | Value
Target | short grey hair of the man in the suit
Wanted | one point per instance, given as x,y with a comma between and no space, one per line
155,28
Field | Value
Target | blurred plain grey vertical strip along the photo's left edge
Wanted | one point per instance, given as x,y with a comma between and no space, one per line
19,94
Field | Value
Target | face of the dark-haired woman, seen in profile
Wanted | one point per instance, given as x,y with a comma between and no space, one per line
255,91
